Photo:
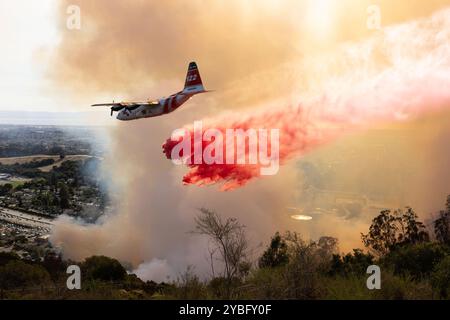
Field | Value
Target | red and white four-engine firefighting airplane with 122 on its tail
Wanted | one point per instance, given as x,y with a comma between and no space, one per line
154,108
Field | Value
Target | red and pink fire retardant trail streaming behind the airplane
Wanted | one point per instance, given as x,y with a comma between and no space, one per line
401,74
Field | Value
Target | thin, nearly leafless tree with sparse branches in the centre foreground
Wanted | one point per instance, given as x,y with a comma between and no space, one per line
228,238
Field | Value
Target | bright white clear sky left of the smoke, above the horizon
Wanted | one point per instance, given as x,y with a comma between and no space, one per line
29,32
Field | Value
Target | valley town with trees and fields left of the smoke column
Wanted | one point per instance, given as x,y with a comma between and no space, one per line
46,171
